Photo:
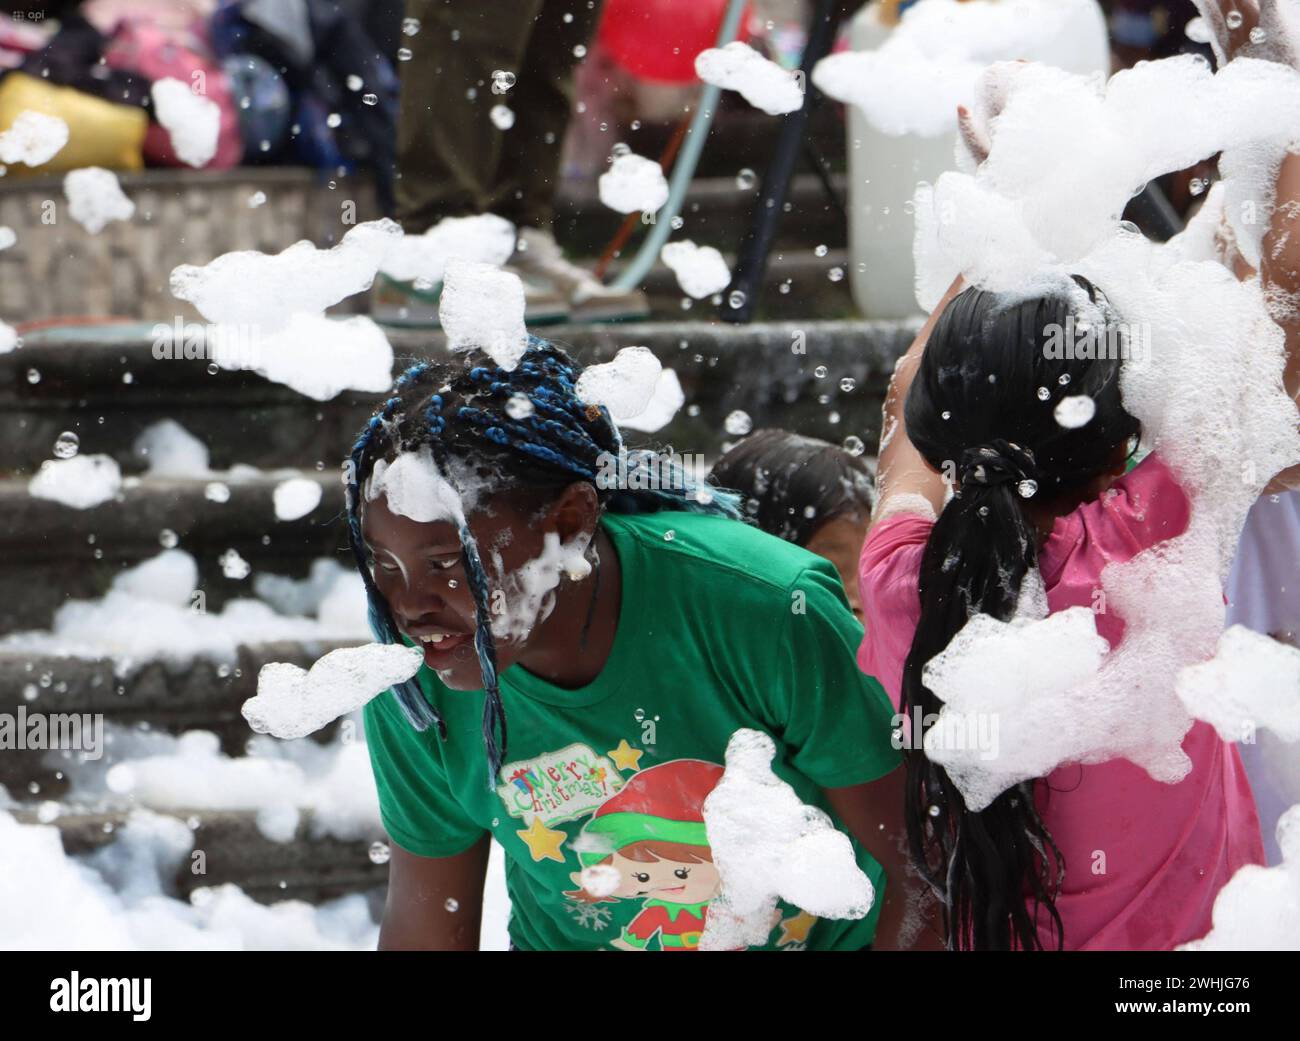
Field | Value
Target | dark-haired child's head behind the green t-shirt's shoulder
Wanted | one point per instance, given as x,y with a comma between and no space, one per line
807,492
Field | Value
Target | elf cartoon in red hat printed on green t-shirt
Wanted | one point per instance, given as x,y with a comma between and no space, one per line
648,843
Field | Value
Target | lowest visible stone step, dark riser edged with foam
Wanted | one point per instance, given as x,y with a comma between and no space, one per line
311,867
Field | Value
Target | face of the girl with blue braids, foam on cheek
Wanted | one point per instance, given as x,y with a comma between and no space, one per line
418,569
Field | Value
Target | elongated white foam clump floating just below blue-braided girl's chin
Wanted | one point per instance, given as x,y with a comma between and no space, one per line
293,702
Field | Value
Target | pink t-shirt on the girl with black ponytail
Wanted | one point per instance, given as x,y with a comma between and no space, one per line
1169,849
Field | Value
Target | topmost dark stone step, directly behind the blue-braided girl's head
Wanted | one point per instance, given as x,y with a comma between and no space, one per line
246,419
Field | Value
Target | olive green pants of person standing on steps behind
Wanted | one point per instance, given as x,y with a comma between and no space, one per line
453,161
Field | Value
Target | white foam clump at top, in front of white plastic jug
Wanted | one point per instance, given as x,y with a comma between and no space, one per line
933,62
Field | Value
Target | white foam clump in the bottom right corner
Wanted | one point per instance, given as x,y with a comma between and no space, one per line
1259,909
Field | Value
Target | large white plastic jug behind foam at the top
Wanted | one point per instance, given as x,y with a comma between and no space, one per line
885,171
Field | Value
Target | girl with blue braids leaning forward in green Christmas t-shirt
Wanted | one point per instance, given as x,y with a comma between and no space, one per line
578,632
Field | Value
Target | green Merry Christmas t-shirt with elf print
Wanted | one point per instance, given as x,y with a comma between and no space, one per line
721,628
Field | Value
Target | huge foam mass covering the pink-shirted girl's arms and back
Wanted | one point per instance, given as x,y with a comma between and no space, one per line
1202,365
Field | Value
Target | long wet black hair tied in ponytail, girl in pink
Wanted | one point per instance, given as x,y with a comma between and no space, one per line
982,410
